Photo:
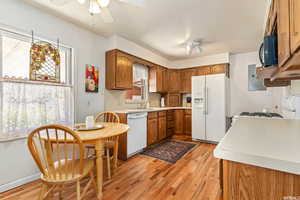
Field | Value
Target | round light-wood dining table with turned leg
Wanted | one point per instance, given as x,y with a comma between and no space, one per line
97,137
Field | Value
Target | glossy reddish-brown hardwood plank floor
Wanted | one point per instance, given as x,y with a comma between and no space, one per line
195,176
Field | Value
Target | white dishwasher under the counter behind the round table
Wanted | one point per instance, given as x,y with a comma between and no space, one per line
137,134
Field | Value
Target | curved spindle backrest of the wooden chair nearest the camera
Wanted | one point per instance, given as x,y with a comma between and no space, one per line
56,149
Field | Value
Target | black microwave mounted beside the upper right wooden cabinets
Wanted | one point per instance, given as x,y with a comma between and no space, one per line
268,52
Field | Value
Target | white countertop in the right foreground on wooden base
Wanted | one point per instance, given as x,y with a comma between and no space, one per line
268,143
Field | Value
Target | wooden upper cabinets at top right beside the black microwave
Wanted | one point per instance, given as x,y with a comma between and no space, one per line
287,28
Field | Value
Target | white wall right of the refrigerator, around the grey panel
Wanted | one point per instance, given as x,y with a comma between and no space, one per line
241,98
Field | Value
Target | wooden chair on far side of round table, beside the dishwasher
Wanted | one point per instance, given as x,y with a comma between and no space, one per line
109,143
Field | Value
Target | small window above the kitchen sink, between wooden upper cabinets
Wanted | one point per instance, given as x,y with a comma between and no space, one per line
139,93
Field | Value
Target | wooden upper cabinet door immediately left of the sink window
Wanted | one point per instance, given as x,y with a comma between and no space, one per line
124,72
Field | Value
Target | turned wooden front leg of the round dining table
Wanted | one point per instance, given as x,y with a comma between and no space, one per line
99,147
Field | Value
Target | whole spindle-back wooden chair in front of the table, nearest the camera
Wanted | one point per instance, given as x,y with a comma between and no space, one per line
59,155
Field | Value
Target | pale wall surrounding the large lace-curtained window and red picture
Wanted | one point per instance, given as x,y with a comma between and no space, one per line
16,165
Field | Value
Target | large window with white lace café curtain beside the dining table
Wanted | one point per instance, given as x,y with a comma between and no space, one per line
26,104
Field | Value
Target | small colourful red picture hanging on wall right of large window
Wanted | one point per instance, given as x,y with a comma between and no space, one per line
91,78
